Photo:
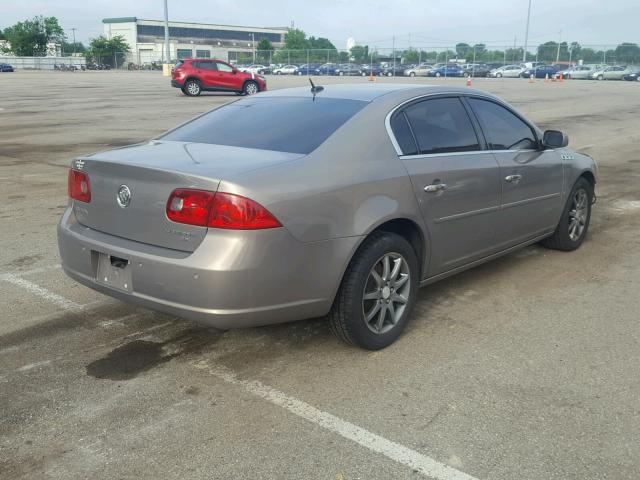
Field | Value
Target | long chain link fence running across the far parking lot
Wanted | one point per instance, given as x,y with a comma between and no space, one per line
324,61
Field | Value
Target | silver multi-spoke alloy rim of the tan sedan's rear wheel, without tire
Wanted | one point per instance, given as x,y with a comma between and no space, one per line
386,292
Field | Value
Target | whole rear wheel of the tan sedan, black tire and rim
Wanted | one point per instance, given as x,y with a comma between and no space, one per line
377,293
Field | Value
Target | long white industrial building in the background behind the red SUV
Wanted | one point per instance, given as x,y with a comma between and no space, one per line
146,39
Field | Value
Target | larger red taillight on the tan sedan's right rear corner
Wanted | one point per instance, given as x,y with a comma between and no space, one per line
218,210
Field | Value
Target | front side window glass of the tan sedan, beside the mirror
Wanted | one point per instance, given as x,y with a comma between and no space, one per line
503,130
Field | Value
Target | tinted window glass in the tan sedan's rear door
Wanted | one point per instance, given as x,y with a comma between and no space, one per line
442,125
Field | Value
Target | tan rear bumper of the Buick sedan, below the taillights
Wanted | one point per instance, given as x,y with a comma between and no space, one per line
234,278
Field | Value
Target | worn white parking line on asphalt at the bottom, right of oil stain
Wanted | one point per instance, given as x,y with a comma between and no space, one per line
392,450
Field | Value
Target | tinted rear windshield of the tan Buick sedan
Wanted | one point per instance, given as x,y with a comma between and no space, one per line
283,124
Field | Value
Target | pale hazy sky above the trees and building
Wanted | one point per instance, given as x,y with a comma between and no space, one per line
426,23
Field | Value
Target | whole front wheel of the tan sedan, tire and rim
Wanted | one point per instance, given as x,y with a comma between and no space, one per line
574,223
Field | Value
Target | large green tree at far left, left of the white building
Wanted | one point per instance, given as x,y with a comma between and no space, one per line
31,37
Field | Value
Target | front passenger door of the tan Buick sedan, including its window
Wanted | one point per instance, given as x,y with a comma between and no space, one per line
531,178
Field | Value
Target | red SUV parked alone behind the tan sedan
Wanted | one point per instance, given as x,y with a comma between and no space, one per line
194,75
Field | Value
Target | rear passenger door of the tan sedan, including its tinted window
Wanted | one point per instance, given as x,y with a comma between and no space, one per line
456,183
